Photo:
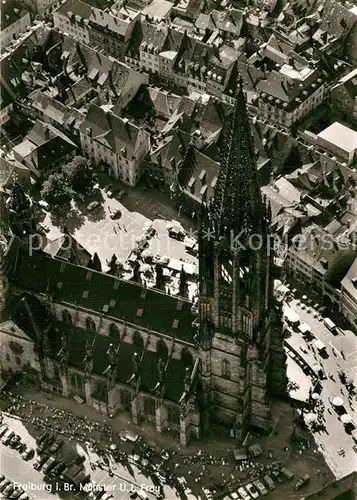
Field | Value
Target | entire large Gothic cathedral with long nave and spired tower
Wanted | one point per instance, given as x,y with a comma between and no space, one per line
122,347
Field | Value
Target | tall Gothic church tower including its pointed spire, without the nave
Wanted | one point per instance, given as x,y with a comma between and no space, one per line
236,290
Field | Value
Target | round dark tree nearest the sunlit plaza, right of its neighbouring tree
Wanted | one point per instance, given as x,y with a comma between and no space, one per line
80,175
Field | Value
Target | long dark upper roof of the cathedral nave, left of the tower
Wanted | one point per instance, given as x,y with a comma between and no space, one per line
67,282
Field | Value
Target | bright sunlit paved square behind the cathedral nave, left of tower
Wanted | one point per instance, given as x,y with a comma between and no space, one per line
97,232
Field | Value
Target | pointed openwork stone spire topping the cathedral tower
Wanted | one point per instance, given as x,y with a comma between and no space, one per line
237,202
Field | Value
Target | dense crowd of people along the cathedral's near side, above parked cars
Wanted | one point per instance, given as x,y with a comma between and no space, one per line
199,468
